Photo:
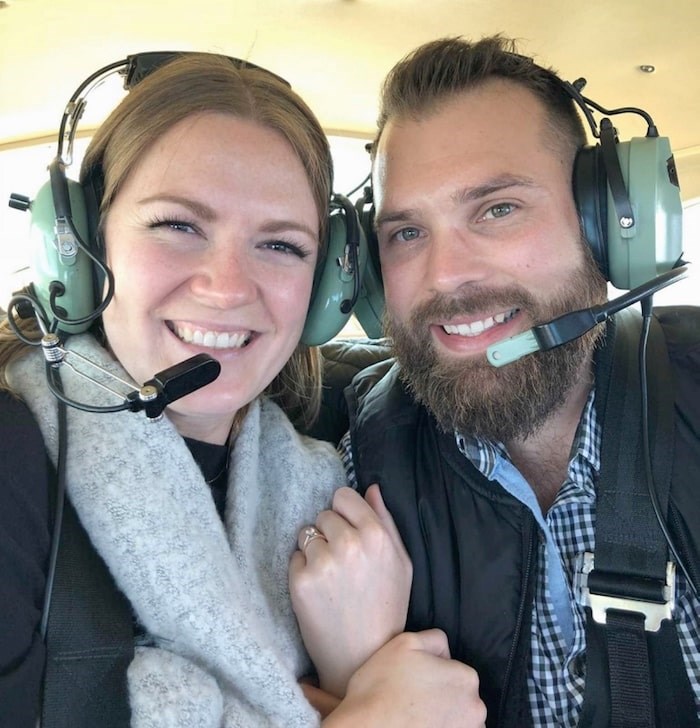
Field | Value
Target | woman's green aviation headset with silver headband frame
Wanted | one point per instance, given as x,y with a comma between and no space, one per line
68,273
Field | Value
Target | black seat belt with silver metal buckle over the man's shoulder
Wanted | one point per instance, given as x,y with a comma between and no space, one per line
634,659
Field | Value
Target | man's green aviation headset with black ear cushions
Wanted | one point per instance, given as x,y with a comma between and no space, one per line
627,196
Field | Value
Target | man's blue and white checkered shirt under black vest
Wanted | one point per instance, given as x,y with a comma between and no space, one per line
557,674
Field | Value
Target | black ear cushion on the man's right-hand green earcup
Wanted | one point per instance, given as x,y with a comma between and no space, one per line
590,193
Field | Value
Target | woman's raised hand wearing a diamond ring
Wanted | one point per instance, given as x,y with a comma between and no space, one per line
350,589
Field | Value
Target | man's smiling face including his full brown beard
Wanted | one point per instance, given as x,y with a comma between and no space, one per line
479,240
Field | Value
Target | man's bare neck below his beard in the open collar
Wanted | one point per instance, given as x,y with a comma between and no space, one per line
543,457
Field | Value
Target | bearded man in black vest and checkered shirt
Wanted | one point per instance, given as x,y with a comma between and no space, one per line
493,474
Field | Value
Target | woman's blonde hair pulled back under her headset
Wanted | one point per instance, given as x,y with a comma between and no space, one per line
197,83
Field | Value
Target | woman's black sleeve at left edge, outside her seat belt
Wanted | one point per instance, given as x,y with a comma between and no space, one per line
24,551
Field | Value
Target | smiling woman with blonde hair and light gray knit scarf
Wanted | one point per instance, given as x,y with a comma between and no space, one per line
214,185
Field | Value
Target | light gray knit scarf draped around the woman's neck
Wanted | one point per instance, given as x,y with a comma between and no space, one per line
213,596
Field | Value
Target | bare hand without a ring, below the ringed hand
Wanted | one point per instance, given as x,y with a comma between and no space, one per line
411,683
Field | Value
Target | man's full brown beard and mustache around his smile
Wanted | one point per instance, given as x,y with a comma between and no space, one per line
475,398
